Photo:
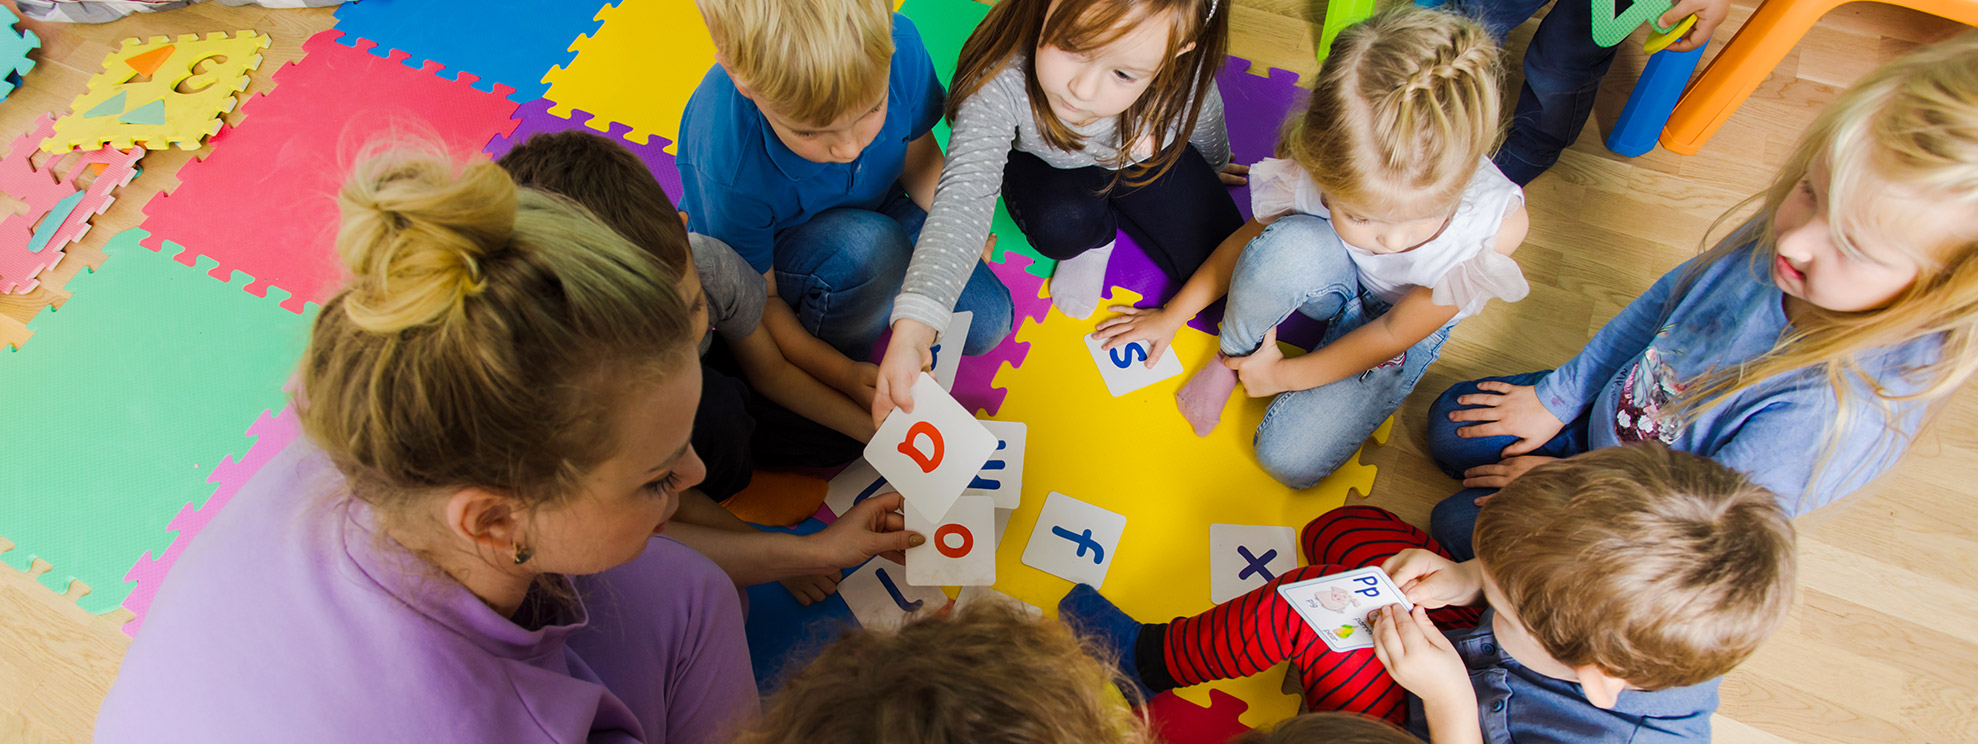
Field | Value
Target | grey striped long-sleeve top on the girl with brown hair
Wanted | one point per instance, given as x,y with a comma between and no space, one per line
986,128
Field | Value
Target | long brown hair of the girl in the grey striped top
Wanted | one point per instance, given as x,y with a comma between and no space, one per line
1176,96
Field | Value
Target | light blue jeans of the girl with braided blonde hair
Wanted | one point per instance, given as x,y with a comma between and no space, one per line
1299,264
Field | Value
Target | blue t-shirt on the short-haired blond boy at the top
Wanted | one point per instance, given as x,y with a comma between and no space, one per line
745,187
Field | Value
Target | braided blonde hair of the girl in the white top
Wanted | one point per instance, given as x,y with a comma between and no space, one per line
1401,112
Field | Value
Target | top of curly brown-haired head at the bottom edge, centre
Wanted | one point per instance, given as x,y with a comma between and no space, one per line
984,676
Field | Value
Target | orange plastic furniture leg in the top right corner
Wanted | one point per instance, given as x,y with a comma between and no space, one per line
1738,70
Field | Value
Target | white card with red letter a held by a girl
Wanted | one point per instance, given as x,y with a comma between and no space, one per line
935,452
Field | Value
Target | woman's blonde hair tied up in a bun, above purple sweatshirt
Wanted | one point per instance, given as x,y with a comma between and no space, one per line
486,337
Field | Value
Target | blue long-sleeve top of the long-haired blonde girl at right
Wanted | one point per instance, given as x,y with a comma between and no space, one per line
1775,432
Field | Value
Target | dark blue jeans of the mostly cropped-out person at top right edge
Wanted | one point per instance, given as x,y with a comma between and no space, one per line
1564,70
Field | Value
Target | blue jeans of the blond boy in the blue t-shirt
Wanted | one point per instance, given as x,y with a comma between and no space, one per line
844,268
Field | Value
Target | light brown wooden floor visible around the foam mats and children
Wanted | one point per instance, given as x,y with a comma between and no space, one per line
1884,638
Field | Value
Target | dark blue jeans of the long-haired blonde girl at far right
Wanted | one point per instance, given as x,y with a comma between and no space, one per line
1457,517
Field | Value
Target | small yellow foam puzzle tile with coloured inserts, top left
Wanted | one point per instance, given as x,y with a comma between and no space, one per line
161,94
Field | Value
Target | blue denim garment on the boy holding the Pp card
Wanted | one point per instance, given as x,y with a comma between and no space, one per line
1520,705
